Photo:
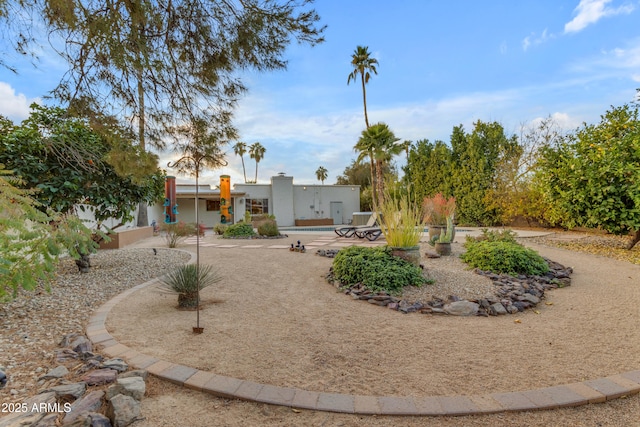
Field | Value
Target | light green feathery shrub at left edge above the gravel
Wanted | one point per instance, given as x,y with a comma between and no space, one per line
33,238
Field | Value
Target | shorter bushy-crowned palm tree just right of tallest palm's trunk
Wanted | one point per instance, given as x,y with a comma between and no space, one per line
378,143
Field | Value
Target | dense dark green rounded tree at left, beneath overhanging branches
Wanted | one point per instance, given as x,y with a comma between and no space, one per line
68,162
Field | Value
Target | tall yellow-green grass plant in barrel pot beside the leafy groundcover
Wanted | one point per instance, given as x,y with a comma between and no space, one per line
401,223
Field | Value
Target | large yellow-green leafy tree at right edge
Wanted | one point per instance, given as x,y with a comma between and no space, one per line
592,178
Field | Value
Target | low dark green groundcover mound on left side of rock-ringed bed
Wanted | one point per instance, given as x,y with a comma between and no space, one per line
376,269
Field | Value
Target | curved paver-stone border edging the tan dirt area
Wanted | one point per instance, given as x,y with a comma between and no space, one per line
574,394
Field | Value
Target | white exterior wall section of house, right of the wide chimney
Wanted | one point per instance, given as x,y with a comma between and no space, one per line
313,201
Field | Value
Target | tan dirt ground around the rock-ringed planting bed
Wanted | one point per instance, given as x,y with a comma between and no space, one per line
274,319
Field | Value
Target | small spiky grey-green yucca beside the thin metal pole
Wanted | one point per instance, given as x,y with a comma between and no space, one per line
184,282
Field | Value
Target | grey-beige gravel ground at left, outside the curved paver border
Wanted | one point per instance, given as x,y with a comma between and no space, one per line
34,323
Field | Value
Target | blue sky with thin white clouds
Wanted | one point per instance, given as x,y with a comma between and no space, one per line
440,65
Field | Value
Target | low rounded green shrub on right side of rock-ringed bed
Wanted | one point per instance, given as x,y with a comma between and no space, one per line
504,257
